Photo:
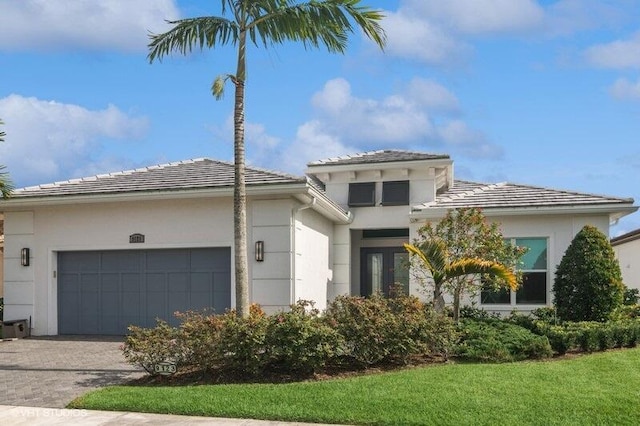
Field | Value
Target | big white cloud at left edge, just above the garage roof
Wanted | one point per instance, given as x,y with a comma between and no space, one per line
49,141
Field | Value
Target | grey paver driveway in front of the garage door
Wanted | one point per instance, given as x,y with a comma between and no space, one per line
51,371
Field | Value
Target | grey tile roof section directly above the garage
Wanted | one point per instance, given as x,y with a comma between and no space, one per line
190,174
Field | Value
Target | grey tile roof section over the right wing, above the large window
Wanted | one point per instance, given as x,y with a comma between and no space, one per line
509,195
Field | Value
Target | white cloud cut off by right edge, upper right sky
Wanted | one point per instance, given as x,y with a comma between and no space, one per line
619,54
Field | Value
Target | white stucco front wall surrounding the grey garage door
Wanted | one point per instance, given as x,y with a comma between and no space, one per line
32,291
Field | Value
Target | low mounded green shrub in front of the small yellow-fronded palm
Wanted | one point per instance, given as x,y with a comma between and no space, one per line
499,341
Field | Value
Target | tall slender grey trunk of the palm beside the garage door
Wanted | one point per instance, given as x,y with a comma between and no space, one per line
239,188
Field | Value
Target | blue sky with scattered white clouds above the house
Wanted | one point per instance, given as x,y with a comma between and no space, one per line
544,93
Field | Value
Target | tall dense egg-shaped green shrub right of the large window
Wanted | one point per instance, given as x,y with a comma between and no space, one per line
588,284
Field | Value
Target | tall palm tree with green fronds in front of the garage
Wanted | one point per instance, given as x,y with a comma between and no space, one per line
263,23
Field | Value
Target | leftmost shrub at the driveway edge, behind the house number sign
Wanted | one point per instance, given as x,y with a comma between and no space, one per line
147,347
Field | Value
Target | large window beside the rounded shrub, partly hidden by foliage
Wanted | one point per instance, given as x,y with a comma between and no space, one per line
533,290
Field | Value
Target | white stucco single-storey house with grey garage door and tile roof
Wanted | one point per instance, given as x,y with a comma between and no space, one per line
93,255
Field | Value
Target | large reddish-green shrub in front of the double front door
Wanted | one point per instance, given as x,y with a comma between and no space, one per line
379,330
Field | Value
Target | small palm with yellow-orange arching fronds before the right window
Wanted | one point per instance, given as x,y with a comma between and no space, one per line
433,256
